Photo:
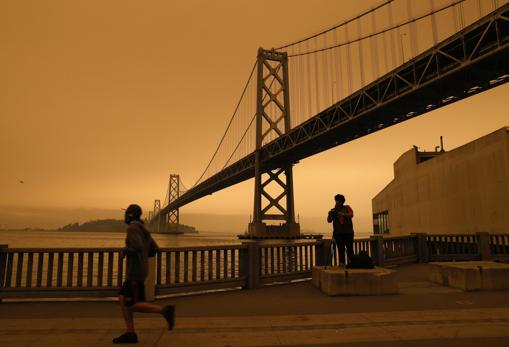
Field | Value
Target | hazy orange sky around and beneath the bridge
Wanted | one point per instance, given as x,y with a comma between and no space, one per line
101,100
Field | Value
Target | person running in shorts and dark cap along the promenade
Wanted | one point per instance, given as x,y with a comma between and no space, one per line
139,246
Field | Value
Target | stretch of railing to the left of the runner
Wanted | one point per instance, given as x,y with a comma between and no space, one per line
59,272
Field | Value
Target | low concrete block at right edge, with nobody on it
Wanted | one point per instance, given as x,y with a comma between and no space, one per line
471,275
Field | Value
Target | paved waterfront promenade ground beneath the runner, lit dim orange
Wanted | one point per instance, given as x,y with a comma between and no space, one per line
423,314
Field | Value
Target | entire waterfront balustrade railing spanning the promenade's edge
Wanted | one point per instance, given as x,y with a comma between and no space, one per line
99,272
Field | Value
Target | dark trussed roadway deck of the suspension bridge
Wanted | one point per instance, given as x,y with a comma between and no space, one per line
471,61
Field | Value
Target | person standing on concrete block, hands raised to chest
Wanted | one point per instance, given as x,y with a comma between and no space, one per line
341,218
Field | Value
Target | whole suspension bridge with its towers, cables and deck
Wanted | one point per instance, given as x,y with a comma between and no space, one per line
391,63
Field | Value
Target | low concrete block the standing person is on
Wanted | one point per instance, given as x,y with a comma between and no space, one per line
340,281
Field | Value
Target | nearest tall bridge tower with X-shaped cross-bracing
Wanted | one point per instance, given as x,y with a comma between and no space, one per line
273,195
